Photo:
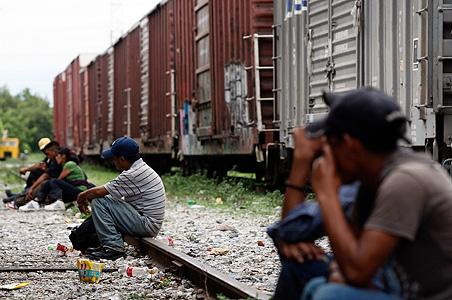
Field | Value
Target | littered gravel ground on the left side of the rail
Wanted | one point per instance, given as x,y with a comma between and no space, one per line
24,241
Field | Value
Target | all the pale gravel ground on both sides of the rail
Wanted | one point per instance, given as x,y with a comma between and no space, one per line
235,244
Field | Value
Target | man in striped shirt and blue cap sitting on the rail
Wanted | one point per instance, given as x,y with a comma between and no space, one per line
131,204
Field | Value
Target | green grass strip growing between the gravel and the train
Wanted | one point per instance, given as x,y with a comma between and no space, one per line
233,193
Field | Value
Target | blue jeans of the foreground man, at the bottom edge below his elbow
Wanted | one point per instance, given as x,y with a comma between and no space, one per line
319,289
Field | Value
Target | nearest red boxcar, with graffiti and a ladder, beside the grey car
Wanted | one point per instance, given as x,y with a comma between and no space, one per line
232,113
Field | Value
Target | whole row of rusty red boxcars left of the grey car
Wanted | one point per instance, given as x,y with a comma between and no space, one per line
192,80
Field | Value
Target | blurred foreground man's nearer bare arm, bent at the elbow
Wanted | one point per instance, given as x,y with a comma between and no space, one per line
359,256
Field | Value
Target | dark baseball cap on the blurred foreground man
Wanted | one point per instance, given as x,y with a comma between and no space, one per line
367,114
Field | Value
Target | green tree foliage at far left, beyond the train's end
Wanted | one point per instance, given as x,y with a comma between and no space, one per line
25,116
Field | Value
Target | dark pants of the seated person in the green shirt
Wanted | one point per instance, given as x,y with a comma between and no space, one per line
56,189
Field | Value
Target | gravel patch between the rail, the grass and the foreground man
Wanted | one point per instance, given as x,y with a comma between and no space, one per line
236,244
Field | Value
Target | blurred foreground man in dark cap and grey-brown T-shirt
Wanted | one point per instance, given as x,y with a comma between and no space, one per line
403,211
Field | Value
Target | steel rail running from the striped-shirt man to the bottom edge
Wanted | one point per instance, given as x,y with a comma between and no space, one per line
200,274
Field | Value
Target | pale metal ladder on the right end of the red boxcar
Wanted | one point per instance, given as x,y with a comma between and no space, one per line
257,80
